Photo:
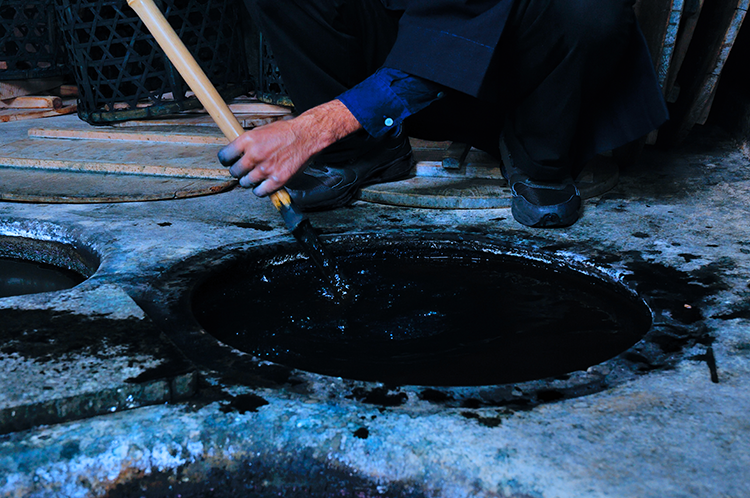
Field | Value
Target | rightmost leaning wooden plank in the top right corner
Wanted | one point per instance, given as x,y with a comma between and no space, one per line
717,29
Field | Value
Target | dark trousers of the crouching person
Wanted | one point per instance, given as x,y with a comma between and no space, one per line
550,68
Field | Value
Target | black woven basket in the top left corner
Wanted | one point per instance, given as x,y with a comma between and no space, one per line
30,44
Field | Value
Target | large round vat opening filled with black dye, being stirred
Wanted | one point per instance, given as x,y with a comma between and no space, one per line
426,313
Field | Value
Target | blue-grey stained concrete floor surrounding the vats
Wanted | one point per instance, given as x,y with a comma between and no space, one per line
130,411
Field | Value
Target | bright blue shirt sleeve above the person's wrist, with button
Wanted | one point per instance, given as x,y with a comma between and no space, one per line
382,102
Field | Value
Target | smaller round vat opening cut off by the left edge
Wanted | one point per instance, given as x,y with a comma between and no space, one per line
29,266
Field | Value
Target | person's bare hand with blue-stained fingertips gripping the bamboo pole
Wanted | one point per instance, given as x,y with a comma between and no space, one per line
268,156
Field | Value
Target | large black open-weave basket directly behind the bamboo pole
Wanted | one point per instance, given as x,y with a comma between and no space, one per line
122,73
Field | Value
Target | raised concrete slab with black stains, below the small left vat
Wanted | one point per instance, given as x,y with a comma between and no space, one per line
59,365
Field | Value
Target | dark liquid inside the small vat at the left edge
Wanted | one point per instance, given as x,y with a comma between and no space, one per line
19,277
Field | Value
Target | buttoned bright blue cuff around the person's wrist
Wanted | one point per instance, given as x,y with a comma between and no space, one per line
375,105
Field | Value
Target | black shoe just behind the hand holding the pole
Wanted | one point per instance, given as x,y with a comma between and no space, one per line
329,185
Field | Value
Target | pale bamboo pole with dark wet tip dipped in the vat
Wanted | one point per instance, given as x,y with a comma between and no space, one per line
296,221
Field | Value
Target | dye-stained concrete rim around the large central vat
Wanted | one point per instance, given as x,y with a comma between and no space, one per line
166,300
